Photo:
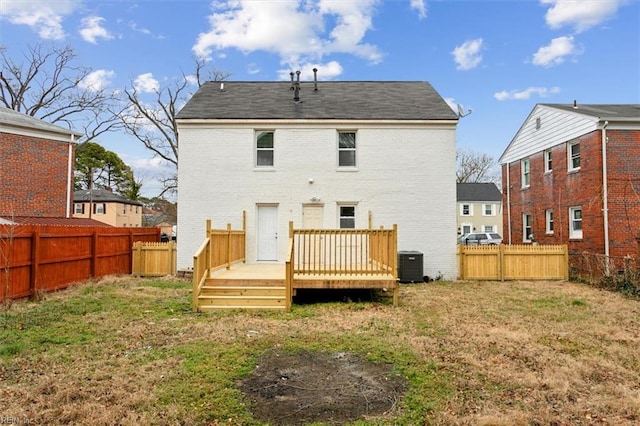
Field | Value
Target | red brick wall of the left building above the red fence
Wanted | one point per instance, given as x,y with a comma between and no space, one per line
33,176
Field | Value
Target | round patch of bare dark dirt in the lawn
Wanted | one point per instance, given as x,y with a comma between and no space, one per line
294,389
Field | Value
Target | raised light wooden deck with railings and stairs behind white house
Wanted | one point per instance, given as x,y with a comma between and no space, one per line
316,259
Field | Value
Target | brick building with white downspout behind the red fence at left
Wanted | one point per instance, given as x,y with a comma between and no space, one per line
36,167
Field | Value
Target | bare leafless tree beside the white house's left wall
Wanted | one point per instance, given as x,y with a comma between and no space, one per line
153,122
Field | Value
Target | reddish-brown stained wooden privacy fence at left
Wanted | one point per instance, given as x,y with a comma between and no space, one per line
35,258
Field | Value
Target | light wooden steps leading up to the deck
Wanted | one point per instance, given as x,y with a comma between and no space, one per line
242,294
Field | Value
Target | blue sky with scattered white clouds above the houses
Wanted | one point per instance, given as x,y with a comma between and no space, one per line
495,58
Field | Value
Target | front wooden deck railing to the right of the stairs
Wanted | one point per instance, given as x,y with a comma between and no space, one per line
344,251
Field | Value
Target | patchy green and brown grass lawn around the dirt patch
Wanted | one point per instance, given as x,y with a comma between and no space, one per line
131,351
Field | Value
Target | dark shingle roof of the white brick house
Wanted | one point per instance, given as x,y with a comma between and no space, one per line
357,100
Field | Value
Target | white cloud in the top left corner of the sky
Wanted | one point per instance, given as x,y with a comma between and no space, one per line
43,16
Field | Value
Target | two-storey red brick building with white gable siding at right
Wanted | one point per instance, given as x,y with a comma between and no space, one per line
557,188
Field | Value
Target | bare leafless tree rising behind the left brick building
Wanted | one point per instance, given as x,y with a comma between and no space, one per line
47,84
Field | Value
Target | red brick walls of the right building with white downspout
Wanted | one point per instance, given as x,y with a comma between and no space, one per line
559,190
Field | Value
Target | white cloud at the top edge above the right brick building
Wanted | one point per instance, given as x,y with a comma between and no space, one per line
579,14
